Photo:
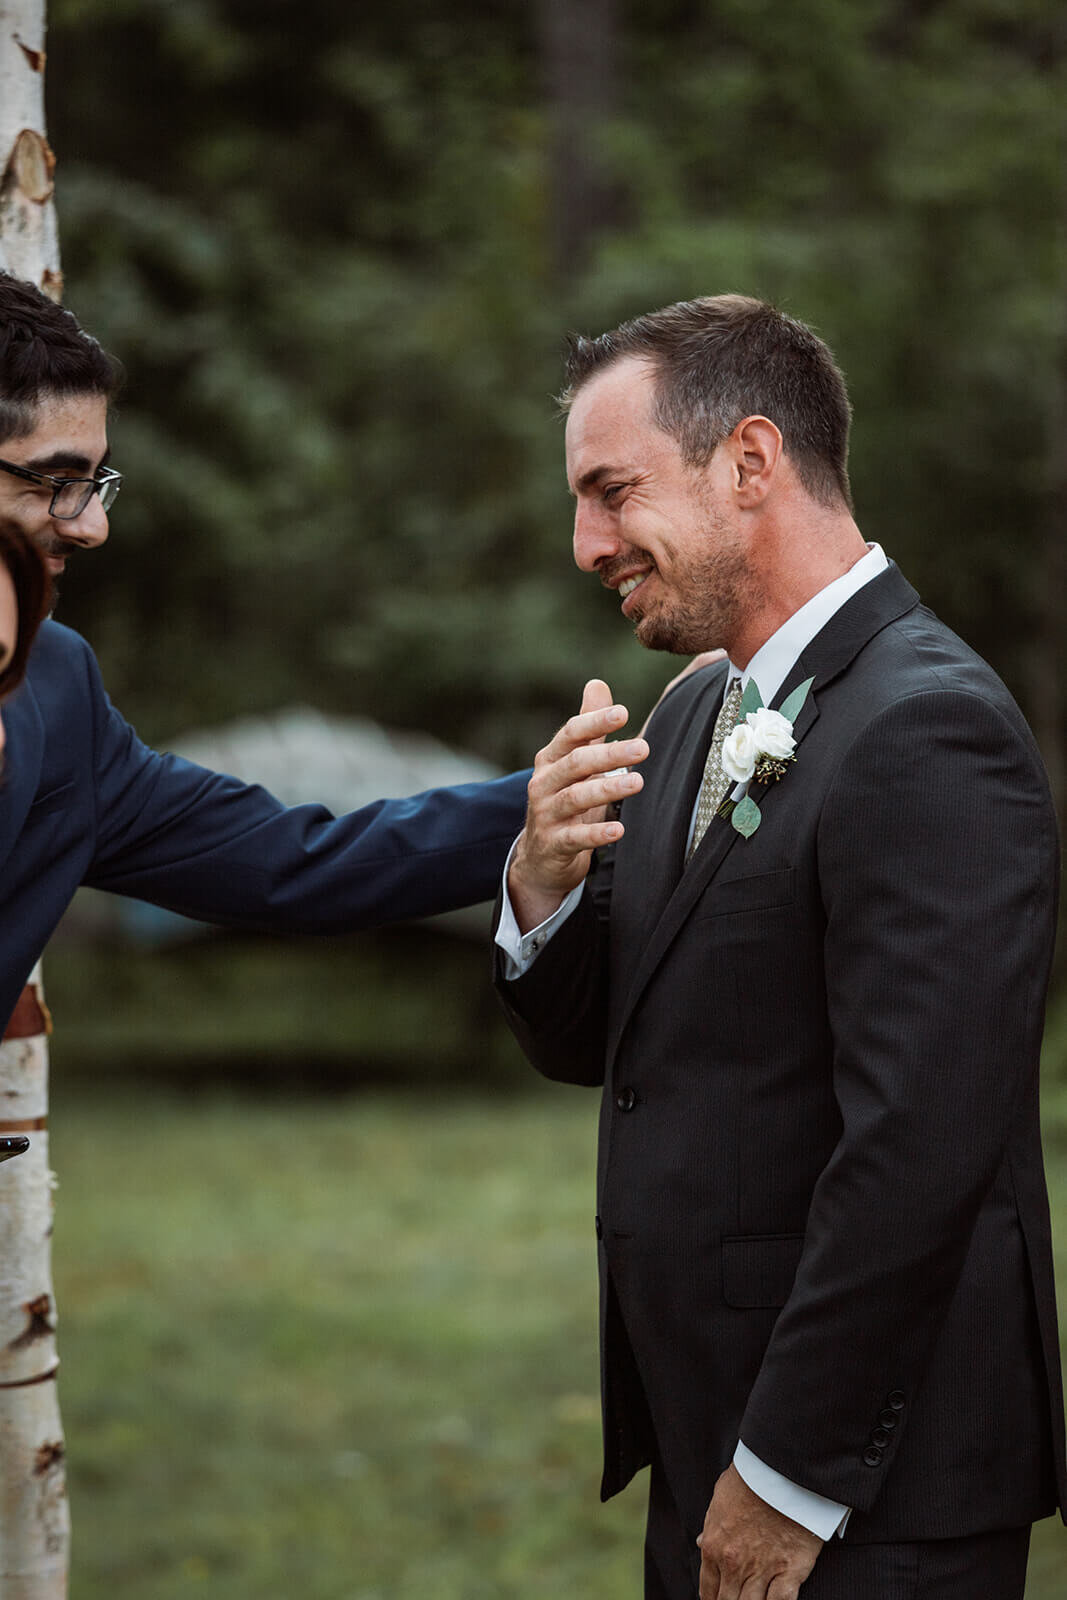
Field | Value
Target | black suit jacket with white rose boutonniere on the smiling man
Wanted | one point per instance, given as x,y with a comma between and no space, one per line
823,1217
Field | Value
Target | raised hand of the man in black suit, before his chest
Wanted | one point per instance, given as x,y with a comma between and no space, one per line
577,777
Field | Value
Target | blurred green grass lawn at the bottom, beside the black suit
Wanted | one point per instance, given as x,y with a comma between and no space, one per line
342,1350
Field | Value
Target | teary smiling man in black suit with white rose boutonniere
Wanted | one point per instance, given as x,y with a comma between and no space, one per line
812,978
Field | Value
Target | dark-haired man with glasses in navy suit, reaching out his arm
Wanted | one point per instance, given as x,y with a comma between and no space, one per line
87,802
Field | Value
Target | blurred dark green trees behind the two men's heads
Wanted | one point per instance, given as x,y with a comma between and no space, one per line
327,244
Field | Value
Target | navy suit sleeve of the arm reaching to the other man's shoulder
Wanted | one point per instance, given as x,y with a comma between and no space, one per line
225,852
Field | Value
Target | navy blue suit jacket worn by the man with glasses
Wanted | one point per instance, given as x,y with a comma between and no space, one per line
86,802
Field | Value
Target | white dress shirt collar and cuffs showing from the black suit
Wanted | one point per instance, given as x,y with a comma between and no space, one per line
770,668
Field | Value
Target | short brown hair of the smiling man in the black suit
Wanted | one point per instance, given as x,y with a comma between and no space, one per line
727,358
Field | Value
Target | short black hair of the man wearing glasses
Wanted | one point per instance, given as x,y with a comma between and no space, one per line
46,353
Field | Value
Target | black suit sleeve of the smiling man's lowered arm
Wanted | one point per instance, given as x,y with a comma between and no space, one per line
938,865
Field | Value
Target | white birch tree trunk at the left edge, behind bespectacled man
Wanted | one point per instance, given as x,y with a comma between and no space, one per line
34,1518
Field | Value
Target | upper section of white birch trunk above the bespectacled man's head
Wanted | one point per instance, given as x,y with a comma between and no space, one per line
30,241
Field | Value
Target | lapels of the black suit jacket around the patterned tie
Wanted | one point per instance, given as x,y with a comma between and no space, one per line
829,654
